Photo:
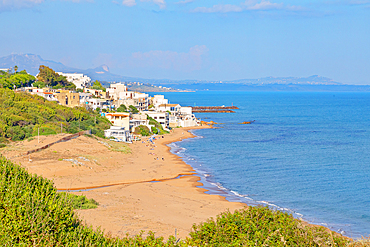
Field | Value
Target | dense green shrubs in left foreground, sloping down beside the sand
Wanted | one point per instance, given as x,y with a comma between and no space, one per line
32,213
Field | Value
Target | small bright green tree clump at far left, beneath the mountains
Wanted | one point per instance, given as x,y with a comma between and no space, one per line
16,79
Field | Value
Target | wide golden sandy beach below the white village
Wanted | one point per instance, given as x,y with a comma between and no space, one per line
139,190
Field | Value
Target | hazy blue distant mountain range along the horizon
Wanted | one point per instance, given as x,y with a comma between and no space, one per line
31,63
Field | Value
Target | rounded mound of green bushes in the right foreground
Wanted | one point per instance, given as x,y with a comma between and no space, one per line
260,226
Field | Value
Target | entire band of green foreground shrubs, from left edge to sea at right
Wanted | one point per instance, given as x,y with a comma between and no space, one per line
33,213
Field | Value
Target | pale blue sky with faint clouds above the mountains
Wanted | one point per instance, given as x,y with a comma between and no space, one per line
195,39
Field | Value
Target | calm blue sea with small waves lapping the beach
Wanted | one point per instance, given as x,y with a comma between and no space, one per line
305,153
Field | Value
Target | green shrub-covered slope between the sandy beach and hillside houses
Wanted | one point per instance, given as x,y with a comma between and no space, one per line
23,114
